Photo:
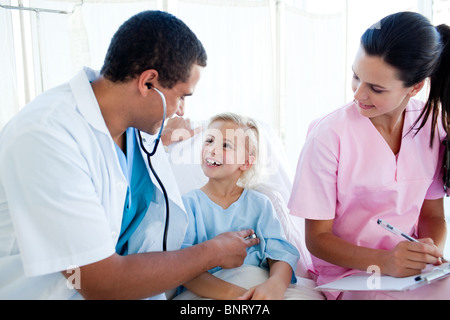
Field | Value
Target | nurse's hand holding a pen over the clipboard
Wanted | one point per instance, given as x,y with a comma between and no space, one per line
410,258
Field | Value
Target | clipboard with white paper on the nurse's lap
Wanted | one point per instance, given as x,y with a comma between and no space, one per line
364,281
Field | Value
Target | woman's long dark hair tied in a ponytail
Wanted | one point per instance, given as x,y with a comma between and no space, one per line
418,50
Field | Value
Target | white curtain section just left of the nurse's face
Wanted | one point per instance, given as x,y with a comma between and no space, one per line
315,71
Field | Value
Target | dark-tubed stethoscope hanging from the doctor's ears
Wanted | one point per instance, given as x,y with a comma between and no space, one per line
151,154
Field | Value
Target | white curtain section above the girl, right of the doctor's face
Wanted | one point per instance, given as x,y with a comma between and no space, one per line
239,39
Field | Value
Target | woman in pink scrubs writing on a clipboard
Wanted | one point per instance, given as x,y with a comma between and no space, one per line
375,159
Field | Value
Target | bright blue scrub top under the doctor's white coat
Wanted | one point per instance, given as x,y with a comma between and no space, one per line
139,192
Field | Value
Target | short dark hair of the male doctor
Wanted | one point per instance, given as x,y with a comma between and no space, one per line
153,40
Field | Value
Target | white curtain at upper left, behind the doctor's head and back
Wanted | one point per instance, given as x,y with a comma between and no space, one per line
55,46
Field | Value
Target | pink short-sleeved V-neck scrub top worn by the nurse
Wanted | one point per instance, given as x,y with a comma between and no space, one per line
348,172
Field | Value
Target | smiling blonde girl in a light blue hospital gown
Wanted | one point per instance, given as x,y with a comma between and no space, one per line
229,160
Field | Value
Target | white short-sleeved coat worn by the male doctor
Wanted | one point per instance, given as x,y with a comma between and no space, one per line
62,194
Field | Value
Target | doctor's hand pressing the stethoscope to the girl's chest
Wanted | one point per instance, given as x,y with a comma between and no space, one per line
232,248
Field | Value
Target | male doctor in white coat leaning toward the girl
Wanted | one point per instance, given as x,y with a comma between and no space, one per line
80,214
